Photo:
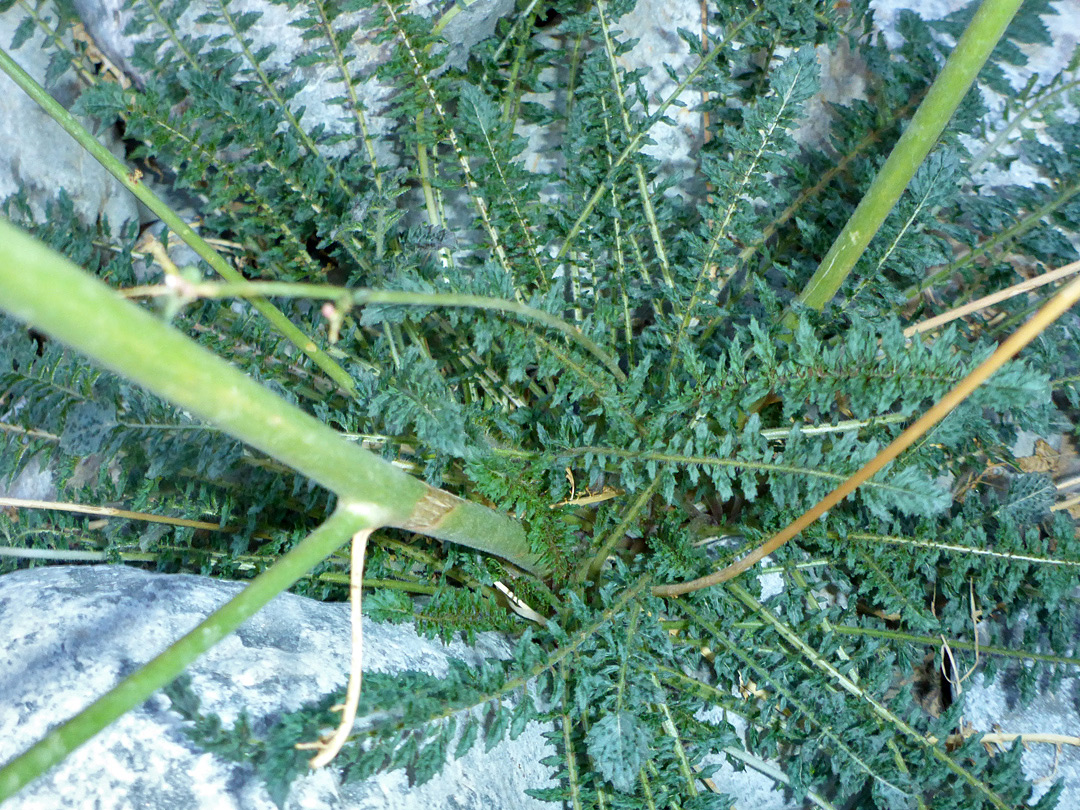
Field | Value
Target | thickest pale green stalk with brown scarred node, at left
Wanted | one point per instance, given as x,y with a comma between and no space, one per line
47,291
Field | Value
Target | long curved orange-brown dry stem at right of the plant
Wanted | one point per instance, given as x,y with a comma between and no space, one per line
1050,313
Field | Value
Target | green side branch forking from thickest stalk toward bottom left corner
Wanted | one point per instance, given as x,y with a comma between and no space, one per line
163,670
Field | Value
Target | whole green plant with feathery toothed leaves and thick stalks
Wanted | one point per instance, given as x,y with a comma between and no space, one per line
650,348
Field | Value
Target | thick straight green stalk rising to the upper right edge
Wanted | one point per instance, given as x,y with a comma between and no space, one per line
921,137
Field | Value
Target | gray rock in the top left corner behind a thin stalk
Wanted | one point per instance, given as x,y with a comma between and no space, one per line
38,157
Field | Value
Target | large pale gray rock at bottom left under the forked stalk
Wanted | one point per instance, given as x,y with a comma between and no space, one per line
73,633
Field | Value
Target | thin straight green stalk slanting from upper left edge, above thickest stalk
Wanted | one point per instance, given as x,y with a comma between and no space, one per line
144,195
